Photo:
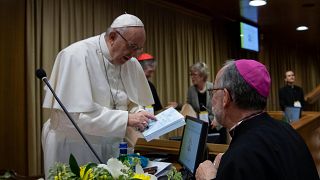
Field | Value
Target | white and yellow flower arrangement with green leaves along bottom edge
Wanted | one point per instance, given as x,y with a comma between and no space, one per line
130,169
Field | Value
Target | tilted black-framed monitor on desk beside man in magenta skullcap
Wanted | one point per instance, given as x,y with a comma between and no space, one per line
193,144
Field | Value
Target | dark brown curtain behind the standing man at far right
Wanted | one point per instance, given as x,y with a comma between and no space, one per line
304,61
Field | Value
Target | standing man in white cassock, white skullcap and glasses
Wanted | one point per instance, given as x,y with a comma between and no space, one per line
104,88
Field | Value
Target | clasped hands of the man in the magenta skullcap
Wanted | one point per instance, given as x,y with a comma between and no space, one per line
207,169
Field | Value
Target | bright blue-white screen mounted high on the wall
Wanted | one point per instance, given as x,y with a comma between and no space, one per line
249,37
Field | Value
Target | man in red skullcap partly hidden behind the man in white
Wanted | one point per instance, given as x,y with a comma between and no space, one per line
148,64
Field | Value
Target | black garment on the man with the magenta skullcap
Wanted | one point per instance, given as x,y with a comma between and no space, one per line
263,148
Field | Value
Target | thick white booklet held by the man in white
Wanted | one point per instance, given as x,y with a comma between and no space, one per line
167,121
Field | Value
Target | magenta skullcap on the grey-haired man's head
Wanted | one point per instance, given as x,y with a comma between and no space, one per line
255,74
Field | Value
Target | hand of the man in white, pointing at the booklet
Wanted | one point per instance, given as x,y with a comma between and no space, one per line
140,120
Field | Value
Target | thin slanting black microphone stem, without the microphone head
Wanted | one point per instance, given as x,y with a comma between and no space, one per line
45,80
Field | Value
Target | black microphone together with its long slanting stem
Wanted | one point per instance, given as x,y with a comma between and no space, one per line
41,74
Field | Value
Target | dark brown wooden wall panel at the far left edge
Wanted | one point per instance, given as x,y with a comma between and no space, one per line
13,148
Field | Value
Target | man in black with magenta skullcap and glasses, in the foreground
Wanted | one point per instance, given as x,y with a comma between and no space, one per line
261,148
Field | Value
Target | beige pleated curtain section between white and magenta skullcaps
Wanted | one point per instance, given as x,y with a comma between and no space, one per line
177,40
